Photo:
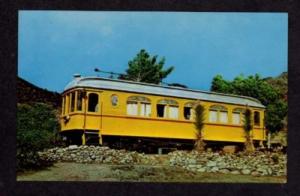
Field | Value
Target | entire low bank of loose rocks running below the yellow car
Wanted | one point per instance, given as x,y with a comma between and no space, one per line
256,164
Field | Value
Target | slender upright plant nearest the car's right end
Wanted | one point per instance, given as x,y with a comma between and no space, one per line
249,147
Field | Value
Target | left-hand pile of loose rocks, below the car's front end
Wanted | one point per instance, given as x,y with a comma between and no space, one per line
96,154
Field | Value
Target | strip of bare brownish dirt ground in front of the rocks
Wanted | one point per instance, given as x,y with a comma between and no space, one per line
64,171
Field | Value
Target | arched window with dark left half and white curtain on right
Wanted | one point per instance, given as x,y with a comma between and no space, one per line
167,108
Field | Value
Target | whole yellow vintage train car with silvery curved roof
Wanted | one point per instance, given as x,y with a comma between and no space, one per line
119,112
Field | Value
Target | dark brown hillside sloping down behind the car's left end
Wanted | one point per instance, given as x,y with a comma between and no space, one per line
29,93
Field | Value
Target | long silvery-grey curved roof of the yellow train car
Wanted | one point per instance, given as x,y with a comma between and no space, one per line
138,87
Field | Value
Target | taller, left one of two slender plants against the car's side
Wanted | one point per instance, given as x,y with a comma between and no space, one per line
199,125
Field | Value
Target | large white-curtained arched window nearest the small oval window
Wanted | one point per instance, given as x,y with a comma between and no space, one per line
138,105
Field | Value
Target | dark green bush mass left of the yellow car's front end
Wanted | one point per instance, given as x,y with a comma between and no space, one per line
37,128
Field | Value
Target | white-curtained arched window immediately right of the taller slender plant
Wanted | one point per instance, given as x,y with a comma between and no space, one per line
218,113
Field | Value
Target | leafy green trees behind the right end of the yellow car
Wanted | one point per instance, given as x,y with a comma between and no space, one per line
261,89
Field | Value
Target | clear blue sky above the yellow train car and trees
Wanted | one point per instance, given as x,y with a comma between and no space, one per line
55,45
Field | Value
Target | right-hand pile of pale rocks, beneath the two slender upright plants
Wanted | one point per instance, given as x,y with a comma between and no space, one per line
256,164
